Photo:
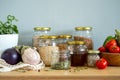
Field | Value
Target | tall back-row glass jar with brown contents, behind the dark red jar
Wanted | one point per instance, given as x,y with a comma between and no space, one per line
84,34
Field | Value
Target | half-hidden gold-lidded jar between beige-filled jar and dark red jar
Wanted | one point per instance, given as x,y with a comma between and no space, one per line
63,39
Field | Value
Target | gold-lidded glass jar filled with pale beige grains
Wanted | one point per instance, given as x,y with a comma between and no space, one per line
47,45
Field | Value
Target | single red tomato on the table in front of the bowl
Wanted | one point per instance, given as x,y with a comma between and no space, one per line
101,63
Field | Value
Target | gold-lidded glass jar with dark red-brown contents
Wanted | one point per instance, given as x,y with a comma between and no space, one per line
79,56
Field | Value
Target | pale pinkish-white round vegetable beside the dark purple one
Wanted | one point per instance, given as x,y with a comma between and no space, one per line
31,56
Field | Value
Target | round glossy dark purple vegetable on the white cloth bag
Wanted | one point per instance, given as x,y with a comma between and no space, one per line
11,56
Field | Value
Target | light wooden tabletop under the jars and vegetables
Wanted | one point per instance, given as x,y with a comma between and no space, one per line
84,73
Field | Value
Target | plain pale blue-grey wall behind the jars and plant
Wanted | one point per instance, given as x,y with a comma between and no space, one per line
62,16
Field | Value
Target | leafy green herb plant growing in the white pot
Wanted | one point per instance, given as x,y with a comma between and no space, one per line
8,27
